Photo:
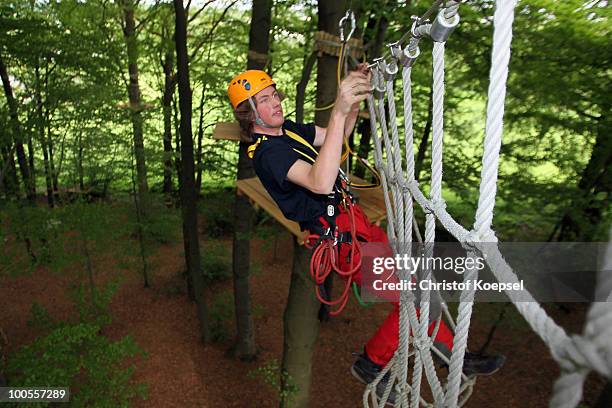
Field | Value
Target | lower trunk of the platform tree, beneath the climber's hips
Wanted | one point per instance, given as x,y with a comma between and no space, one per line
301,328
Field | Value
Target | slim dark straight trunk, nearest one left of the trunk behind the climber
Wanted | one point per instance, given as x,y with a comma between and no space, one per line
188,196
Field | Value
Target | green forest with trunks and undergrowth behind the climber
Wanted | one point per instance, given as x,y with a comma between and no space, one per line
109,108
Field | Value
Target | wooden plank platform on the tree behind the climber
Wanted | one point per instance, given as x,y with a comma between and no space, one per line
371,201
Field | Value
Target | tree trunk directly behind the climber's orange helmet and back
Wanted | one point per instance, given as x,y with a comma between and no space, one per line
245,346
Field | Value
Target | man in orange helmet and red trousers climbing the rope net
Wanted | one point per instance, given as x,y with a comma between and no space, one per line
304,184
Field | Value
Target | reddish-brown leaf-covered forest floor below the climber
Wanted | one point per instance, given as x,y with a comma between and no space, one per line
181,372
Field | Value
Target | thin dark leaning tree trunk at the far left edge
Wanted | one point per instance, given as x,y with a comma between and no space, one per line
17,135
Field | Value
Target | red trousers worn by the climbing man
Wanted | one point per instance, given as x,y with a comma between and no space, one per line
382,345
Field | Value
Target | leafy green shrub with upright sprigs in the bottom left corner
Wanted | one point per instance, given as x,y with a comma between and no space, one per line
77,354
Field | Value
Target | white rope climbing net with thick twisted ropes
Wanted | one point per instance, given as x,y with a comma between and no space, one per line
577,355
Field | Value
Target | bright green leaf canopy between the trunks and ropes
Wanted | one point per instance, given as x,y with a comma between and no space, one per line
558,99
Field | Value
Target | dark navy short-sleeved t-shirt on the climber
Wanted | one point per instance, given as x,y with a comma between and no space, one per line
273,158
